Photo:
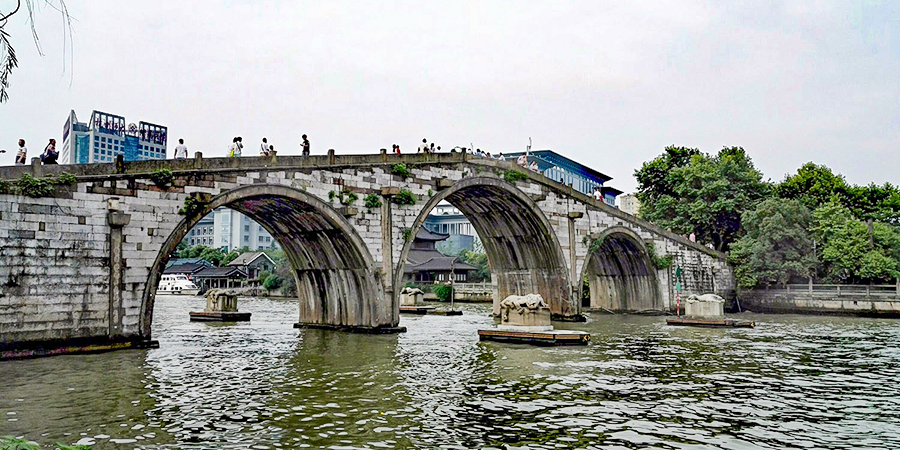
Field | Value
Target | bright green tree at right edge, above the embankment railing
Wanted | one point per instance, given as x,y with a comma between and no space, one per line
851,250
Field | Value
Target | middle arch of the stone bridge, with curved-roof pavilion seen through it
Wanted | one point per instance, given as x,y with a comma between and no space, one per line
523,250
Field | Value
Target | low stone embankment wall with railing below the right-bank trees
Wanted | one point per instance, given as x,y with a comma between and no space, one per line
870,301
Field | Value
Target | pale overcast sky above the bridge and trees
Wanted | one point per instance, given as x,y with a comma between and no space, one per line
608,84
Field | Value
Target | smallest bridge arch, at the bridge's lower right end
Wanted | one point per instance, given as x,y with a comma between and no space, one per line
620,272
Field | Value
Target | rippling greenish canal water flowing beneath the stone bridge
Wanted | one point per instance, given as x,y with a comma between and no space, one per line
792,382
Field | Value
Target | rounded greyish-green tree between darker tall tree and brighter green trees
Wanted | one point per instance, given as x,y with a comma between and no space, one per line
777,247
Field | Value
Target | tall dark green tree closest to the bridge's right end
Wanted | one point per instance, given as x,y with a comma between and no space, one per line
705,196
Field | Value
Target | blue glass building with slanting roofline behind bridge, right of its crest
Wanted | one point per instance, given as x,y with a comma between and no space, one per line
582,178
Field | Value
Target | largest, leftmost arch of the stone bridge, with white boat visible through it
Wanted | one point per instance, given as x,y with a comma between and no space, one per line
337,280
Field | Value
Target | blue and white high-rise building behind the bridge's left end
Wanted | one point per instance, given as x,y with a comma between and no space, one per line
107,135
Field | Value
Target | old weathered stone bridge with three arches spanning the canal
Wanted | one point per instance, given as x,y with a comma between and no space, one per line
80,267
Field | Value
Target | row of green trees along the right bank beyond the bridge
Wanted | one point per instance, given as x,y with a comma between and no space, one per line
811,225
